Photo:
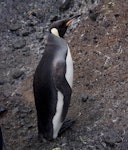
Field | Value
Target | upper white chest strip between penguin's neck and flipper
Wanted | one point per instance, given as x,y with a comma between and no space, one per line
69,68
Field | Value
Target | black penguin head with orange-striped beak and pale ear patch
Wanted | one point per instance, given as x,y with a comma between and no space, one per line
60,27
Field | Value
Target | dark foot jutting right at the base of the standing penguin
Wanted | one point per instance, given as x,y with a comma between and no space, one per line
66,125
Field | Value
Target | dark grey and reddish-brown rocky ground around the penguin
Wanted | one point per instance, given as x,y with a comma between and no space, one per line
99,46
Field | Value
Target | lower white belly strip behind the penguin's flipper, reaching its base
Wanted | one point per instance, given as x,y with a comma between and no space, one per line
57,118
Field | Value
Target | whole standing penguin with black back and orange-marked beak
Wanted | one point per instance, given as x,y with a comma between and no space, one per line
52,83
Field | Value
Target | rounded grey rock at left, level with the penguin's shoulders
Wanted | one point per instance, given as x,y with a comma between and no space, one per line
19,43
